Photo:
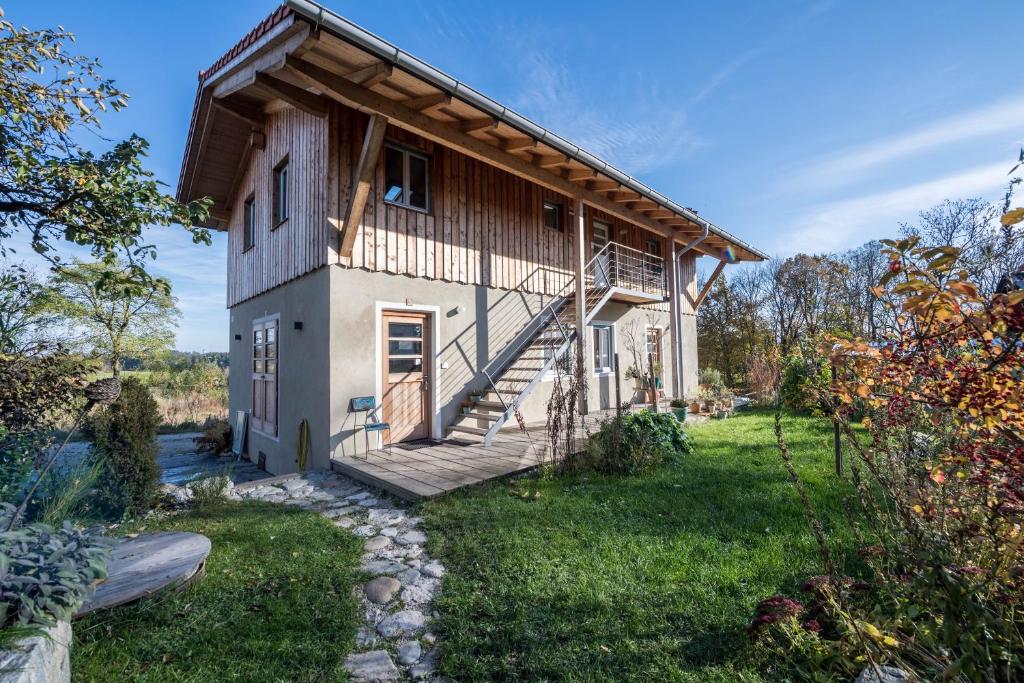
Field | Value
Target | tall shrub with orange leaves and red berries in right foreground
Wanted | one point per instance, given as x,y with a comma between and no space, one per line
941,487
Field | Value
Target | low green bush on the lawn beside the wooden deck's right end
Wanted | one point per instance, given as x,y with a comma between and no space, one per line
633,443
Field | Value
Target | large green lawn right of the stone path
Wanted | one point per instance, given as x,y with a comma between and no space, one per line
650,578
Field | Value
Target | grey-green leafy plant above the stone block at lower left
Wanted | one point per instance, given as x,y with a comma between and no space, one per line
47,574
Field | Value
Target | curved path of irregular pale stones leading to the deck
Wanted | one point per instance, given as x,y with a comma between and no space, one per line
396,644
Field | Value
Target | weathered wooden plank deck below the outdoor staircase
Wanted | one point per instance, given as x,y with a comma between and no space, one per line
416,472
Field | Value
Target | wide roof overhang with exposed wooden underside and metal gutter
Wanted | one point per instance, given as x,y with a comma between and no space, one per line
305,51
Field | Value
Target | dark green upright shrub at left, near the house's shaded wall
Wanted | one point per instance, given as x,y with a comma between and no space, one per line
124,440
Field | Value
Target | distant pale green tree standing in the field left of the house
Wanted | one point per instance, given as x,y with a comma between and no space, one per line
122,318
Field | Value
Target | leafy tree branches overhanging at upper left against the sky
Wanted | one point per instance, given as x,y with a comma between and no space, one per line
53,189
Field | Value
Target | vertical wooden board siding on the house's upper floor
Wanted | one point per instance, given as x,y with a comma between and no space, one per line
484,227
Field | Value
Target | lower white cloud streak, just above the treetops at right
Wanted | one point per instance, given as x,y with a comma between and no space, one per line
849,223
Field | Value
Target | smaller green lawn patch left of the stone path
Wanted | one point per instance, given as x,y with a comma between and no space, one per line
275,606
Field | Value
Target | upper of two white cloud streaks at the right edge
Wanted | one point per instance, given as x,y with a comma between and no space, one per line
856,163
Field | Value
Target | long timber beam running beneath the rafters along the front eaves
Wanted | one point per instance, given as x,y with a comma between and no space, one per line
345,92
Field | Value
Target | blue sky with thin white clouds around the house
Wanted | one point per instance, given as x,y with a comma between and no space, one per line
799,126
